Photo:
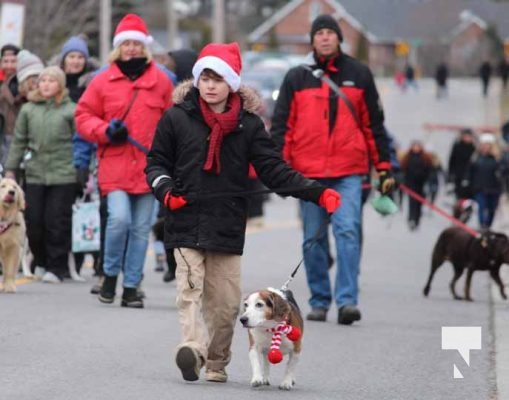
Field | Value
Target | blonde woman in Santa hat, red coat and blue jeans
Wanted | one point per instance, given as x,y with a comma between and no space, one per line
119,111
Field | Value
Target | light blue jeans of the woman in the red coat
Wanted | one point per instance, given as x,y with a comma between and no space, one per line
127,232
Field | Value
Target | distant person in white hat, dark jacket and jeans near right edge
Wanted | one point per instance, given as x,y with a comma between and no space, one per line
485,179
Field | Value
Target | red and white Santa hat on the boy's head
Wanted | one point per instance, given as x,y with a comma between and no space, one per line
223,59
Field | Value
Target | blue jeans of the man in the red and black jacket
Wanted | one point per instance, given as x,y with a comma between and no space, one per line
346,225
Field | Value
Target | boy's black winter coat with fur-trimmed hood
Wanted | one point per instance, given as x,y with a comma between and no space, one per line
179,151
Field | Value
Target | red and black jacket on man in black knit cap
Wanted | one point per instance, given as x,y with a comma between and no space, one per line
317,132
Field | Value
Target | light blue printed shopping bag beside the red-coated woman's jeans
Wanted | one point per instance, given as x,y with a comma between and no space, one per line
86,227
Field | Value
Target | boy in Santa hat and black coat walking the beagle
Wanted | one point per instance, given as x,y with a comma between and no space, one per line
204,144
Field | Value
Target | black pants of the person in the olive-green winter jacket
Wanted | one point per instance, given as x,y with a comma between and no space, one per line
49,225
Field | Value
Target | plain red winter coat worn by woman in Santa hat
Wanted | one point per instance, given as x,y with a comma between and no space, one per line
108,96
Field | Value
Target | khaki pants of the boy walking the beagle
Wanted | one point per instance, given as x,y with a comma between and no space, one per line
208,311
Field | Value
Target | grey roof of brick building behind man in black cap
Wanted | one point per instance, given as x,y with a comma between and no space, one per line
391,20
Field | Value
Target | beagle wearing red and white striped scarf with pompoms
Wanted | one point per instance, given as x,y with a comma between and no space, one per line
275,325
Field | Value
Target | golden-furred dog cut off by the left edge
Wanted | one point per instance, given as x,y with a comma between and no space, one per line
12,231
